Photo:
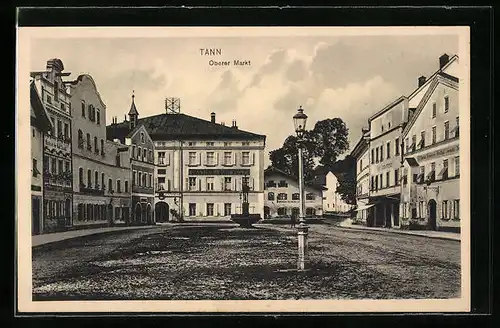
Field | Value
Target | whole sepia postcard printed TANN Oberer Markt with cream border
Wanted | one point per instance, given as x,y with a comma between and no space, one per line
245,169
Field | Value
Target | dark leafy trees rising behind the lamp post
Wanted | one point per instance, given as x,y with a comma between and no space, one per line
324,143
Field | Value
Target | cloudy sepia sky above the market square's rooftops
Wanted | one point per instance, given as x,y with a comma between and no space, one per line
350,77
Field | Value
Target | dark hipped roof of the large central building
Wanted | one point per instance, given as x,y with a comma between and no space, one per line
180,126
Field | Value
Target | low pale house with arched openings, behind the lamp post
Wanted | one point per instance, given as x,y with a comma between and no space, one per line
282,196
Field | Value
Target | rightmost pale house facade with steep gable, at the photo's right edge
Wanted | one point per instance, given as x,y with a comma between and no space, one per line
431,186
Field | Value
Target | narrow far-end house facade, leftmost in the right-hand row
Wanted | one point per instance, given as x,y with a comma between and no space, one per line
362,155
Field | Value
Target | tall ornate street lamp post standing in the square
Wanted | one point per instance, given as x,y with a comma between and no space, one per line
299,120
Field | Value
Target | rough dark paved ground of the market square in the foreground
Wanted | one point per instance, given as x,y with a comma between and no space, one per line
211,261
